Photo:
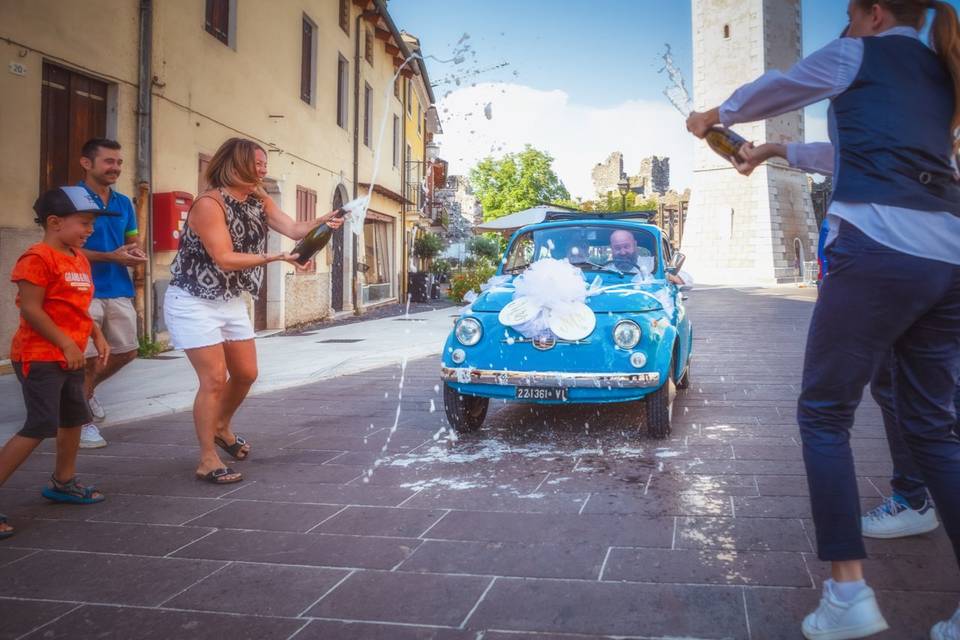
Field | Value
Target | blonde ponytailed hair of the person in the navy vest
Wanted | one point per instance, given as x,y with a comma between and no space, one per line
944,39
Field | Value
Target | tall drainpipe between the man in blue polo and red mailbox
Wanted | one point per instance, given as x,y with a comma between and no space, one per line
144,155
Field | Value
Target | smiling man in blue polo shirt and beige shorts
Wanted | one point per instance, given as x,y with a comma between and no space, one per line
111,249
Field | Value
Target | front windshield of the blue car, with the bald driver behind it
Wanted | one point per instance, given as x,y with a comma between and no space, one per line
620,250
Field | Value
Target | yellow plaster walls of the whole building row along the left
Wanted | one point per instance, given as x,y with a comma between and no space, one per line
203,93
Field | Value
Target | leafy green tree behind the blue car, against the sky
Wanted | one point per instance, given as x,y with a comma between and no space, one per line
516,182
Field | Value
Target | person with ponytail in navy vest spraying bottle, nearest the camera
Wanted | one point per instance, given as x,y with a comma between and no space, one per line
893,248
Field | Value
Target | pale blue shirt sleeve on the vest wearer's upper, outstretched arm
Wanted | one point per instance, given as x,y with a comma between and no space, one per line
823,74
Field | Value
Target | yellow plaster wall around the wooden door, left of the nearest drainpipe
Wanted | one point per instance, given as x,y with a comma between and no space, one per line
29,38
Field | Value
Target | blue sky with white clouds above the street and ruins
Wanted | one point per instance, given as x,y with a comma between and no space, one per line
598,58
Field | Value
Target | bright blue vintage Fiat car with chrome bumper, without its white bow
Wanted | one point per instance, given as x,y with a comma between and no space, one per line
638,349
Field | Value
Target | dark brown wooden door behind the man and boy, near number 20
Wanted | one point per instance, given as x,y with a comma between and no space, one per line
73,109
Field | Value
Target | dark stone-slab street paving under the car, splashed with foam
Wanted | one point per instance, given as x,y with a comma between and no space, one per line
547,524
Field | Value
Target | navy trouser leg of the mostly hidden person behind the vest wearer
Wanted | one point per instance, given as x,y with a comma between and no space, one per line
907,481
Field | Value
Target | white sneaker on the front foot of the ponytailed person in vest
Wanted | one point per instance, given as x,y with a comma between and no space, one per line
838,620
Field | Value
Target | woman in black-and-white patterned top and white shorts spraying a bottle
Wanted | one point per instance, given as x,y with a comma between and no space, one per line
222,254
